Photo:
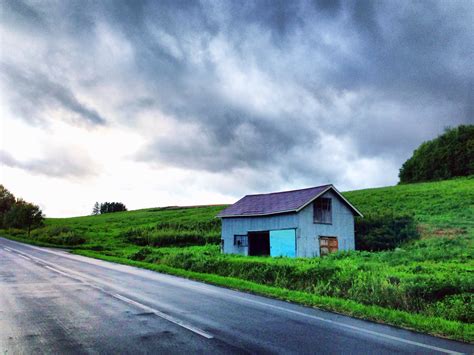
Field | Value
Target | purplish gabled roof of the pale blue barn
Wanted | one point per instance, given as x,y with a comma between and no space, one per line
278,202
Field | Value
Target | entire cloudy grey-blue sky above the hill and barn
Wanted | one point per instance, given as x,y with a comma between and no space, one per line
187,102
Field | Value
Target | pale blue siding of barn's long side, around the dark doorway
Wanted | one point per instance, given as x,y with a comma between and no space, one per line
242,225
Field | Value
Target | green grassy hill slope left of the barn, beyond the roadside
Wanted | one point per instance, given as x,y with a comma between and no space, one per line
110,230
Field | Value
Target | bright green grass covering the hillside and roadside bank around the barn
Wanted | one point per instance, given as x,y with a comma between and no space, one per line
426,285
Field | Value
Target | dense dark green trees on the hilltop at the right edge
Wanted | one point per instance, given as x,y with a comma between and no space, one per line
449,155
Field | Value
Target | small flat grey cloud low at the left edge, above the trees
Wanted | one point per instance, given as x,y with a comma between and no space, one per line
62,165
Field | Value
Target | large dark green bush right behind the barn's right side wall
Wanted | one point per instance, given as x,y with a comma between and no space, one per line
384,232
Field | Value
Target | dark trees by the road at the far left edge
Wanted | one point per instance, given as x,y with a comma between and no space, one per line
17,213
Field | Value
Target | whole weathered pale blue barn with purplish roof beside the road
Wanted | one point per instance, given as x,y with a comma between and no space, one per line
300,223
